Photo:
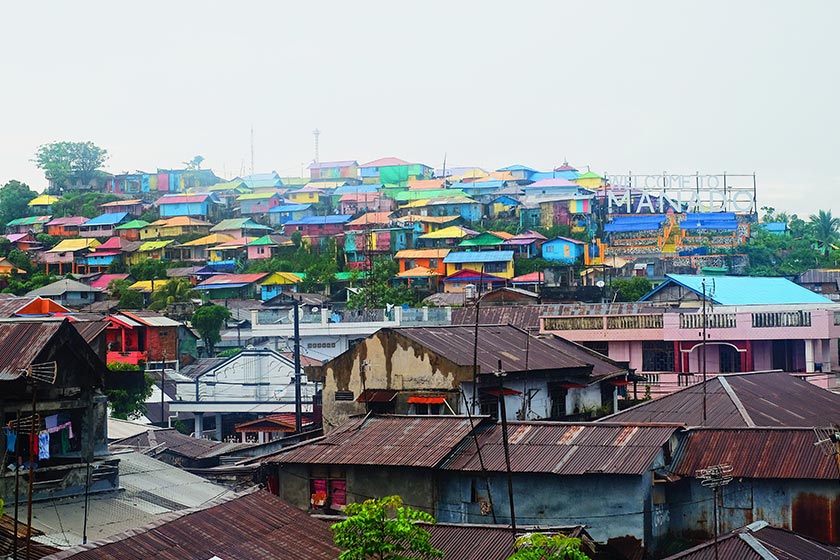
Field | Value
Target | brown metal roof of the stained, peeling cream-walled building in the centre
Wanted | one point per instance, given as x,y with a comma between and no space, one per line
508,344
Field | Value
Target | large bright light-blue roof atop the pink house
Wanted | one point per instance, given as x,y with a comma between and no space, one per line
743,290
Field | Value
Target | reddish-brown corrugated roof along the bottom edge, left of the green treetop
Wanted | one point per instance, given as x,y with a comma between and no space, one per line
256,526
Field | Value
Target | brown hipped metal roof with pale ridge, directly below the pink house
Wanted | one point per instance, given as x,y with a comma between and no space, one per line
771,399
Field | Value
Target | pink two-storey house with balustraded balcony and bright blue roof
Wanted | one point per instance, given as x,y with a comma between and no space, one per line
751,324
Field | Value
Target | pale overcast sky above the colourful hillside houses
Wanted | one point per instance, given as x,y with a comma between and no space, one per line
647,86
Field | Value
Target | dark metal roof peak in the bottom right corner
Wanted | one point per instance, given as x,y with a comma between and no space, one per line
753,541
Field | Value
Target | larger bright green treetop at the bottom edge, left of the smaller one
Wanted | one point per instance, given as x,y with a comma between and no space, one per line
384,529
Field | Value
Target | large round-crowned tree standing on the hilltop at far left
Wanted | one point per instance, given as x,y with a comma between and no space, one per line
70,162
